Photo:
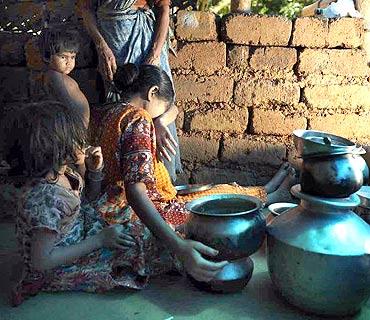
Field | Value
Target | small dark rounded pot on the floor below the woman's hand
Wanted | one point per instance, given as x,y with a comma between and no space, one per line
232,278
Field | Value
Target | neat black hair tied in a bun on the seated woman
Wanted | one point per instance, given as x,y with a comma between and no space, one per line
132,80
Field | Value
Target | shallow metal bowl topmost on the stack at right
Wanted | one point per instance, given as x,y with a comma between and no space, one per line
311,143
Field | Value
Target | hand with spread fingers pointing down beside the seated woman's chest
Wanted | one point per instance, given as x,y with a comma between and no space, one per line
166,143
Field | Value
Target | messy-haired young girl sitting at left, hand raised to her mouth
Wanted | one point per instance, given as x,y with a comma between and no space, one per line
64,248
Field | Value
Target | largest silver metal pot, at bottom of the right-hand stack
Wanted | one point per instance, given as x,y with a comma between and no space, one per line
318,255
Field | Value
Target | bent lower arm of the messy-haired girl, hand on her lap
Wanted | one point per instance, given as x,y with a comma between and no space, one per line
45,256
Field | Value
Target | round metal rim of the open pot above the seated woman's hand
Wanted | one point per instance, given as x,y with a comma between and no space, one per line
190,205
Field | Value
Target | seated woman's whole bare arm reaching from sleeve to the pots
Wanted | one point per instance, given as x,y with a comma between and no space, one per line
190,252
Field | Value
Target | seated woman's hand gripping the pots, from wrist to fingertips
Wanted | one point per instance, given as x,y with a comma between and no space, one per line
195,265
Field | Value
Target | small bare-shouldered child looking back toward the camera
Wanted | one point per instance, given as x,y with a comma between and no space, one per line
60,47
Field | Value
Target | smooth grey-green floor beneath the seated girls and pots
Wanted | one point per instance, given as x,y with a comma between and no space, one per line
166,298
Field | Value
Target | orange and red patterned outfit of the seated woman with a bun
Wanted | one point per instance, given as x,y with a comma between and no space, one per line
128,143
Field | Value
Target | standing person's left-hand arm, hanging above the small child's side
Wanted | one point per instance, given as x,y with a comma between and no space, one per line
107,60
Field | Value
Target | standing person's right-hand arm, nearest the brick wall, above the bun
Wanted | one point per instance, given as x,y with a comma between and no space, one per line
161,33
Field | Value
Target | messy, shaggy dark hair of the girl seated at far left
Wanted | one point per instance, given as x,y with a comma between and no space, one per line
48,134
